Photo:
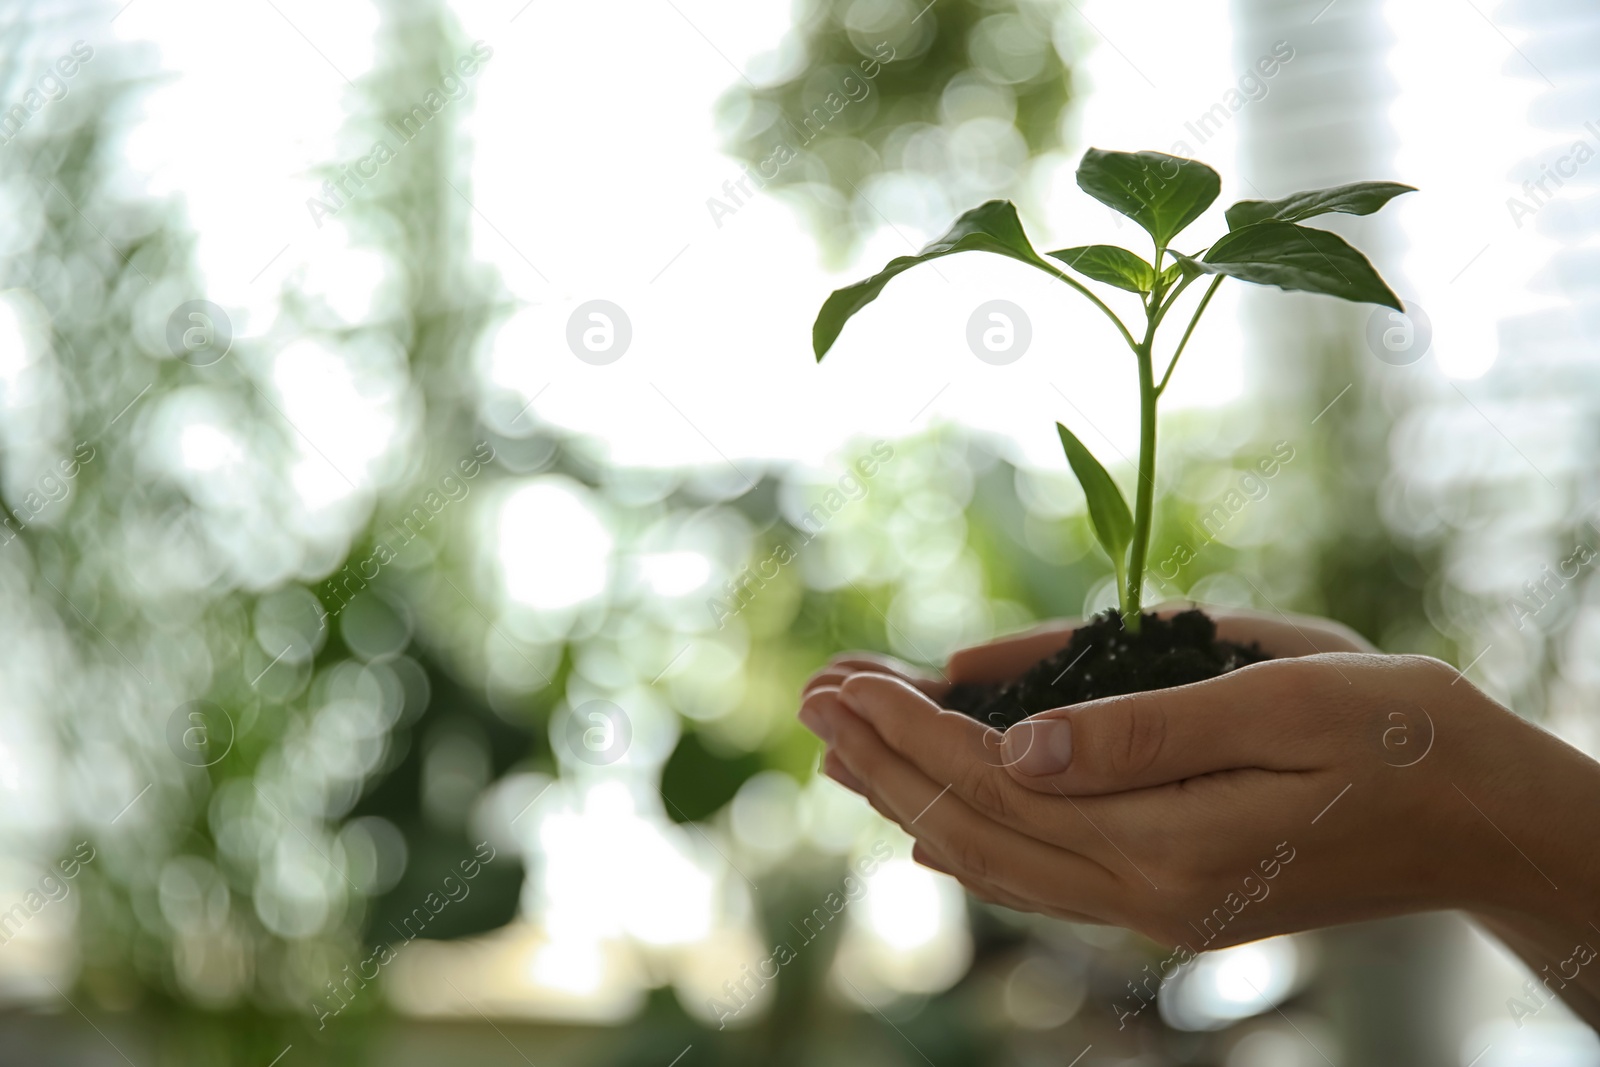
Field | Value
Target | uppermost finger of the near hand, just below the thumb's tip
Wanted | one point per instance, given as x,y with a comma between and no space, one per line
953,748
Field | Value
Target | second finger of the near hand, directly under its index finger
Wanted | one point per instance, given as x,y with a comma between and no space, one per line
966,842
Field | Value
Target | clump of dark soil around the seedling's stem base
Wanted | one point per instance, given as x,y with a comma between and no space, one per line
1105,660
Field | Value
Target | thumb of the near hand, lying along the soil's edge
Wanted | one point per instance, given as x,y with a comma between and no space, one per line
1247,719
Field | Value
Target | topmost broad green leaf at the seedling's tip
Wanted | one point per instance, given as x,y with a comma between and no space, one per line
1161,193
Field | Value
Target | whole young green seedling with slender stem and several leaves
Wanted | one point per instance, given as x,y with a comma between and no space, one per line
1164,194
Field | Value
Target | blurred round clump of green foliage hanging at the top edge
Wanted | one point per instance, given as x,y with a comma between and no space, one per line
873,106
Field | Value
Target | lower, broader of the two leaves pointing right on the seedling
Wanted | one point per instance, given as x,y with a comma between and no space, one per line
1297,258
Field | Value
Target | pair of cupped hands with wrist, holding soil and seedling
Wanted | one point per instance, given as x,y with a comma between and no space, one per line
1316,789
